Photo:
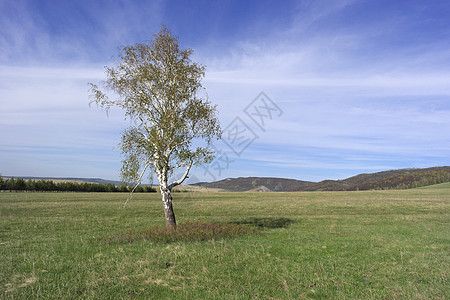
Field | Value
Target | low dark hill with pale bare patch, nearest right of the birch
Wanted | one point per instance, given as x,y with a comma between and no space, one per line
243,184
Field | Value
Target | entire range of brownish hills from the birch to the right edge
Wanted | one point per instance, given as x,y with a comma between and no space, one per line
393,179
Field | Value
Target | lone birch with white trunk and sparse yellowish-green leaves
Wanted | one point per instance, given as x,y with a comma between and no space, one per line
158,86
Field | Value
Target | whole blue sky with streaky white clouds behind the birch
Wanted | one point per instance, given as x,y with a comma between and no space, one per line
354,86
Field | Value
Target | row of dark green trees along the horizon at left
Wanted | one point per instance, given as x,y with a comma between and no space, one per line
19,184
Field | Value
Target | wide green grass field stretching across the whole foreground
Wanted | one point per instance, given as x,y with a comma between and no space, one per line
339,245
